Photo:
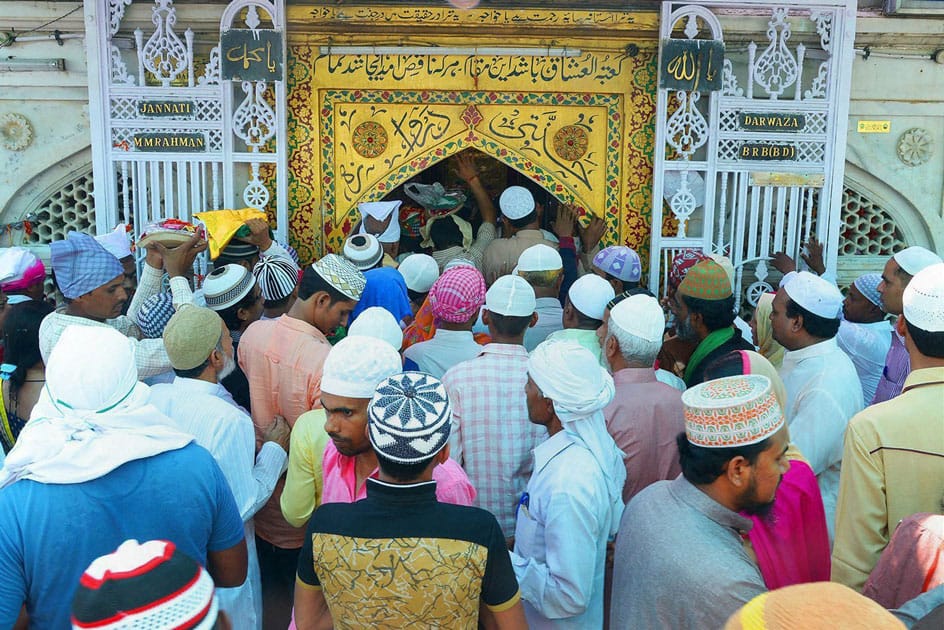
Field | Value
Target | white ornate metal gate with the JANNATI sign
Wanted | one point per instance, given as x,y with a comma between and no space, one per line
186,119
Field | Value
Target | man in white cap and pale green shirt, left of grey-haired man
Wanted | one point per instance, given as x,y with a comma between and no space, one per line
583,313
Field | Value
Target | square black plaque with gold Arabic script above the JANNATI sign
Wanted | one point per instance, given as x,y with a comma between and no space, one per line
247,55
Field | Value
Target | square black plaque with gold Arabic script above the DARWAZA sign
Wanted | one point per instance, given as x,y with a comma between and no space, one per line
691,64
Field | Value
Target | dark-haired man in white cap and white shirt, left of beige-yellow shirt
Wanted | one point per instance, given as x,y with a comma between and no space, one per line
823,388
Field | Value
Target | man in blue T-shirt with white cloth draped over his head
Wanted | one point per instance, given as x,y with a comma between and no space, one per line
97,465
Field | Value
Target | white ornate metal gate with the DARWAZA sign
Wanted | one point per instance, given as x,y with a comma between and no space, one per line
750,135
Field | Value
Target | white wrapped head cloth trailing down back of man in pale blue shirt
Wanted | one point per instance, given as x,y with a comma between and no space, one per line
572,378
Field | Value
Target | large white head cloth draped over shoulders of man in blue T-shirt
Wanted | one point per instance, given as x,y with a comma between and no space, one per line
89,420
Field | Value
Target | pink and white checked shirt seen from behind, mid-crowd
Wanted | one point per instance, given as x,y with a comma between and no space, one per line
492,438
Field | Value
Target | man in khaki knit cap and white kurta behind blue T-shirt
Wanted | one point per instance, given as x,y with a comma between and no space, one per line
200,406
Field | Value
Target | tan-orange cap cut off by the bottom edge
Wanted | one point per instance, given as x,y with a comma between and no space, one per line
813,606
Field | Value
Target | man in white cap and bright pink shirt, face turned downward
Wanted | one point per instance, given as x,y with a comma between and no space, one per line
354,368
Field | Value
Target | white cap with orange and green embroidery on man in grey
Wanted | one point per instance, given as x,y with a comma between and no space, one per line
731,411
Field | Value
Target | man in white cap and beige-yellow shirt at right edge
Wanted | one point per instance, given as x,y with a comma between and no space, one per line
893,460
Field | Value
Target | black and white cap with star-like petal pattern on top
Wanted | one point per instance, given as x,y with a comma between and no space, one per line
409,417
